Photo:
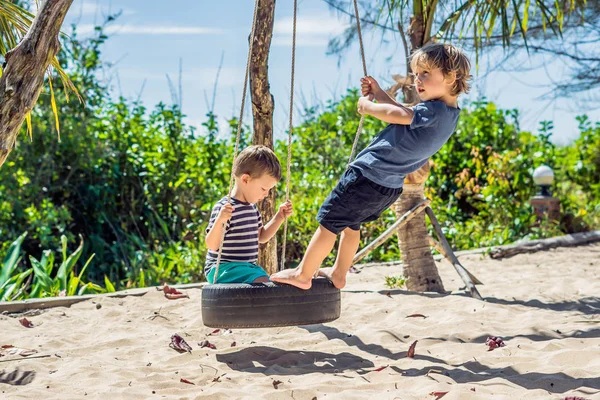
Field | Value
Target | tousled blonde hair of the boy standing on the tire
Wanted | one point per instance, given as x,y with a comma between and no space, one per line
448,59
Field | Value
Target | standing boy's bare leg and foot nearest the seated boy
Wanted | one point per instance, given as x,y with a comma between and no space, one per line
319,248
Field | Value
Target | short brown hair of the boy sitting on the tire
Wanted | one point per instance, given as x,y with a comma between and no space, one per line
256,161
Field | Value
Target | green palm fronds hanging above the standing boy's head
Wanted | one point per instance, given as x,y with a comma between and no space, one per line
477,21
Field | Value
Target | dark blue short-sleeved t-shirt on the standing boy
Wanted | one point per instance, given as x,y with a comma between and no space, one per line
399,150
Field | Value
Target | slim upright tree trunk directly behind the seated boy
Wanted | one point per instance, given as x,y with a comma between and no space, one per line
262,111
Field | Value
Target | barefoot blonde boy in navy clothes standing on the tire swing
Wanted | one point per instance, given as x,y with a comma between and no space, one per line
374,180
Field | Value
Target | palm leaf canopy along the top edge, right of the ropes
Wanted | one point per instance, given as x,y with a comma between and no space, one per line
476,22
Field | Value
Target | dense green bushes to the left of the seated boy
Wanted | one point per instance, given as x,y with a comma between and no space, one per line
133,182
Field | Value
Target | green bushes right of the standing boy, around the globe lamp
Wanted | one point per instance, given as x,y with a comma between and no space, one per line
482,182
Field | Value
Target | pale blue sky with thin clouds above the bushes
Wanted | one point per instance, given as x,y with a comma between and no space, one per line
150,38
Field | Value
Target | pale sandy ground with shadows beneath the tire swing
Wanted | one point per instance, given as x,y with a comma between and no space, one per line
545,306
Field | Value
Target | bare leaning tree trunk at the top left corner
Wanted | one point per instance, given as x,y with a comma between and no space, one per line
23,77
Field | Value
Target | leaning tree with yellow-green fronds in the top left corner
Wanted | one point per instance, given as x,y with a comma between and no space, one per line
28,46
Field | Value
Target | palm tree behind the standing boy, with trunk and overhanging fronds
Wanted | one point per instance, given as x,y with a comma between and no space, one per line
475,21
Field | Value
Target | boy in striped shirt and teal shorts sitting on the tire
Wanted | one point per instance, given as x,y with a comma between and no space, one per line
256,171
